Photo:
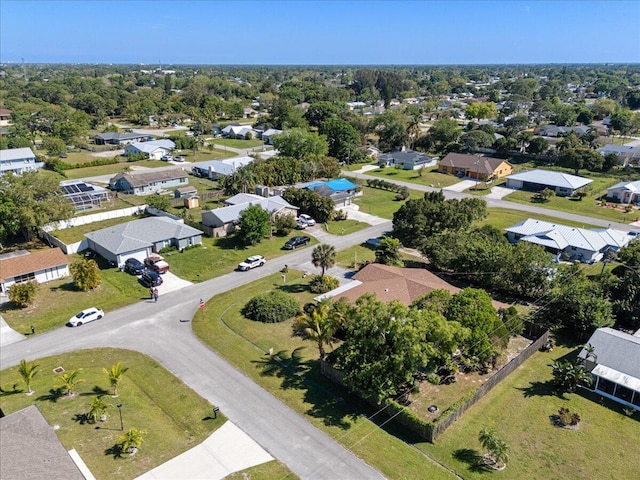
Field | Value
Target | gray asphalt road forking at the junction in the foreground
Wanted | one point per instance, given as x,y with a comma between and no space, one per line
156,329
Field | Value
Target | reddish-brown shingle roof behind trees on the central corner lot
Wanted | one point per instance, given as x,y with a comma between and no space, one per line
394,283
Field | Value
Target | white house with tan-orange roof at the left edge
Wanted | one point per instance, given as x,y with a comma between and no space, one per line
41,266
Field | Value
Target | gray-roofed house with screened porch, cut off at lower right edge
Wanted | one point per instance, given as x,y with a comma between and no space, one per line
614,364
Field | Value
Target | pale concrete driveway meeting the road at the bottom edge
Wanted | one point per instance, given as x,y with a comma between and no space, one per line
227,450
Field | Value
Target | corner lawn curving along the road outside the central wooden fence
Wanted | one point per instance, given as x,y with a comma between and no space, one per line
296,379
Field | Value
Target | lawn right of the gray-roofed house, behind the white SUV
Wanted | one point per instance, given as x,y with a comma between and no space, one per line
219,256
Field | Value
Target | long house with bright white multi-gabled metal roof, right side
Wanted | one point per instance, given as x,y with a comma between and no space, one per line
570,243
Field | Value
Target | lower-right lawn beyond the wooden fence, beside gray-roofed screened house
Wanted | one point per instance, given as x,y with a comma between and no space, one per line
520,408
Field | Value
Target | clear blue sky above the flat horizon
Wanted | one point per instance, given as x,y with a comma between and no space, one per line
299,32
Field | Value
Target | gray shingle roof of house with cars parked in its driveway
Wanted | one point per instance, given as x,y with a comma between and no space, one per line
139,234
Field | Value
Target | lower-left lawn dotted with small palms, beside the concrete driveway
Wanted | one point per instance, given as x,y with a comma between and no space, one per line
174,416
